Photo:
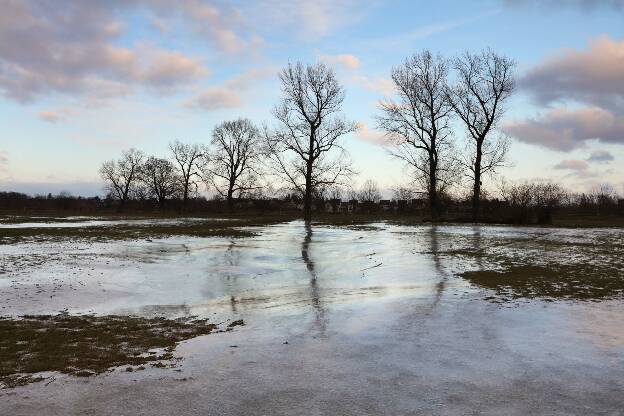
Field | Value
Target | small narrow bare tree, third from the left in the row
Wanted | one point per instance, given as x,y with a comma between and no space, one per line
188,159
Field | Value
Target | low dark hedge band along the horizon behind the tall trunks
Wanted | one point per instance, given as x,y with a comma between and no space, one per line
520,203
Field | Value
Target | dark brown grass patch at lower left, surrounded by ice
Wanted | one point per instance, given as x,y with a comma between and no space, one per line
88,345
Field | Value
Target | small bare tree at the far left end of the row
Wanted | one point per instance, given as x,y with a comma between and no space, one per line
121,175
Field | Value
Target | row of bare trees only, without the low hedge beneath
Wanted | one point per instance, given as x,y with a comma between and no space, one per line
302,152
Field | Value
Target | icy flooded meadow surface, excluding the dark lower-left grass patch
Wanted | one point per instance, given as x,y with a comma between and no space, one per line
380,319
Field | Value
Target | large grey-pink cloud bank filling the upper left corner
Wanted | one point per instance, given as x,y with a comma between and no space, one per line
70,47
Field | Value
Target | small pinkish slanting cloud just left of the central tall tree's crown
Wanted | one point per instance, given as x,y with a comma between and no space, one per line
228,95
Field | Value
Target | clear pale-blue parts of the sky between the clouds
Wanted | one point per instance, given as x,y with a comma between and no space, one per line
379,36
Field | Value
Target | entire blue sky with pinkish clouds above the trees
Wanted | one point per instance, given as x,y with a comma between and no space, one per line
80,81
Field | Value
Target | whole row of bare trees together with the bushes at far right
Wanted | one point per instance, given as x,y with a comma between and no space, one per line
299,161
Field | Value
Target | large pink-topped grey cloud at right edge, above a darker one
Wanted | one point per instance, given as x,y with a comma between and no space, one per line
594,76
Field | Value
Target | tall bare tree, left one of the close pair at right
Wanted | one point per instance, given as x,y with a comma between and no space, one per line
417,123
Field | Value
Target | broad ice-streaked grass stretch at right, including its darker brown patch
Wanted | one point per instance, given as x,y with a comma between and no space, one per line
568,266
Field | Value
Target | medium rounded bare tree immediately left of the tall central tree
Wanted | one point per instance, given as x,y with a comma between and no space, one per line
234,159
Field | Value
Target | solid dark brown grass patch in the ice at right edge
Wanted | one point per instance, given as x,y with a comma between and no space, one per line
551,282
